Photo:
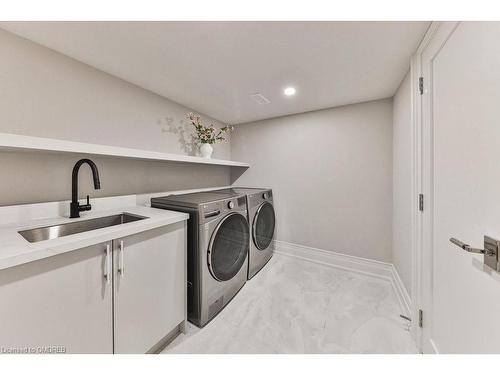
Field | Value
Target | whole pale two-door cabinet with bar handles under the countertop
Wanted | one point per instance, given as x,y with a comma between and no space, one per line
124,300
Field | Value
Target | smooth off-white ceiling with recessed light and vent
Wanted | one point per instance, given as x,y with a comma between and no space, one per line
214,67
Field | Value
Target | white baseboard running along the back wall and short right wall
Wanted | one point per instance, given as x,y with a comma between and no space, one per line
369,267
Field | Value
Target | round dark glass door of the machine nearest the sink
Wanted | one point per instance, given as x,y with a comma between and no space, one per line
229,247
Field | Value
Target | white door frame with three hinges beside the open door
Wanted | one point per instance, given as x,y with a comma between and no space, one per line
423,181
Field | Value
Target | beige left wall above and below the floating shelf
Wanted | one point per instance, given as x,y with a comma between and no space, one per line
44,93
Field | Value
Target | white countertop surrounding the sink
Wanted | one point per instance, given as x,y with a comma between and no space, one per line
15,250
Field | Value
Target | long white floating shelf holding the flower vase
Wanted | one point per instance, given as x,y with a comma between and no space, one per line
23,142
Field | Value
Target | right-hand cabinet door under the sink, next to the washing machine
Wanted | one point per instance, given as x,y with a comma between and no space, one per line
149,287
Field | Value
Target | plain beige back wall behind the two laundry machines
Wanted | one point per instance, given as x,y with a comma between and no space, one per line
331,172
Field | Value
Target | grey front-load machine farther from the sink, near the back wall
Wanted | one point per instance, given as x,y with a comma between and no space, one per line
262,220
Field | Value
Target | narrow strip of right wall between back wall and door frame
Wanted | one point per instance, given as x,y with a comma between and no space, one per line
402,171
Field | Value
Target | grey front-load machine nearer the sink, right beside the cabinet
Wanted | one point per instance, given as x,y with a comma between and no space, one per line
218,246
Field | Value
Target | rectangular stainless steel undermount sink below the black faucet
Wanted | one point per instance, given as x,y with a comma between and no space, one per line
56,231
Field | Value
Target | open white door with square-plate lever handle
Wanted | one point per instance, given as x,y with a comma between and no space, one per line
461,179
